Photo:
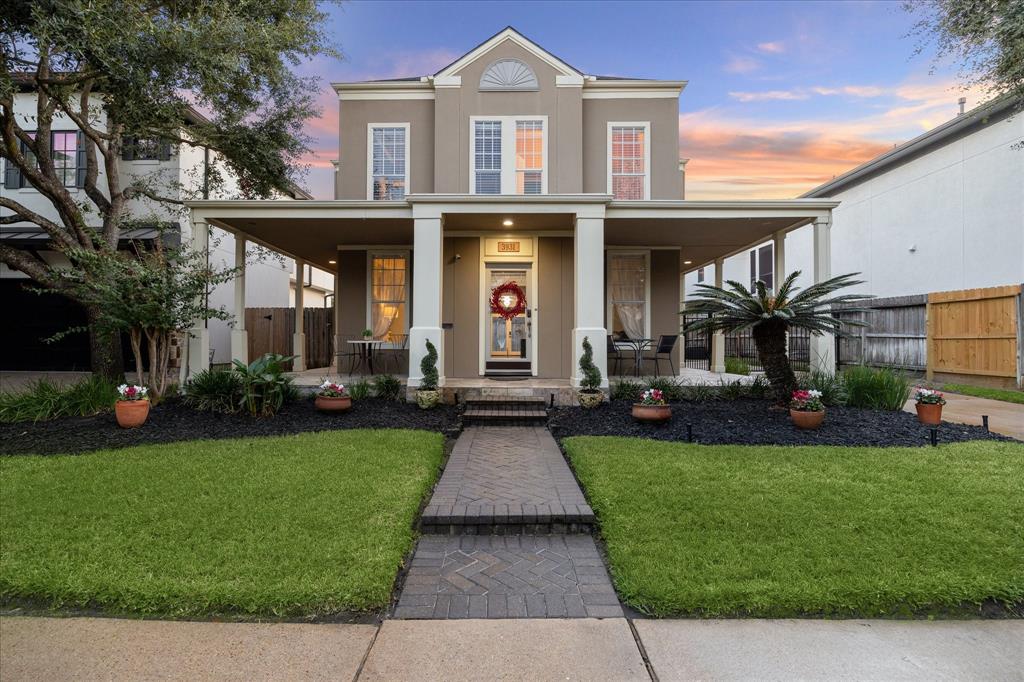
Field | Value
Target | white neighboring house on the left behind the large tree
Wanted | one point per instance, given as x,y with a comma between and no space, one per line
182,169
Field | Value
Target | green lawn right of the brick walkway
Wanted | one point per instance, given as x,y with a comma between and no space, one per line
776,532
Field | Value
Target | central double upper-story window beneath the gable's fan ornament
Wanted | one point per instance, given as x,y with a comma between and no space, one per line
509,156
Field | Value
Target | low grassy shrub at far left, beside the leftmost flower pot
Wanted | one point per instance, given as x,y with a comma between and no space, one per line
44,400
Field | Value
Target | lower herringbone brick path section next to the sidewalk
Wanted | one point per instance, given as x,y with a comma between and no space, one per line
498,577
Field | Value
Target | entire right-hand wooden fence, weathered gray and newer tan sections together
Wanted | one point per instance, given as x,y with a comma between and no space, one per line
972,335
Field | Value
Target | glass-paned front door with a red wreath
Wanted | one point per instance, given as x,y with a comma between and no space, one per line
510,328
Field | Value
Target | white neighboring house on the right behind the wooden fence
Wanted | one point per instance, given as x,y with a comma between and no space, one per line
943,212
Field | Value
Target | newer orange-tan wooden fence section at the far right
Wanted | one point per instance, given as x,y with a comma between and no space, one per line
976,332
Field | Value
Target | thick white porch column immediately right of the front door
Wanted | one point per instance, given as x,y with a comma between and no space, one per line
588,283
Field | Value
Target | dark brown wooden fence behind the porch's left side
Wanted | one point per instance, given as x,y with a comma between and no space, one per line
272,331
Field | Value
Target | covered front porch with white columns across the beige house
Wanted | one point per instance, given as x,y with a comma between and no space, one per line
585,267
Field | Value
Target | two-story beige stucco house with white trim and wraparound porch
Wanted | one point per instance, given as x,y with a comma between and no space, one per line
511,165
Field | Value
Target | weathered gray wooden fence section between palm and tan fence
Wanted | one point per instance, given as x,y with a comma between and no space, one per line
894,336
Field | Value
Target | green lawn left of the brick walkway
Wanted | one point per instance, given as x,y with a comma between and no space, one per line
280,527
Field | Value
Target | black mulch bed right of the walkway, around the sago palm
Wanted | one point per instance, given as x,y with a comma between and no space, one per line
758,423
